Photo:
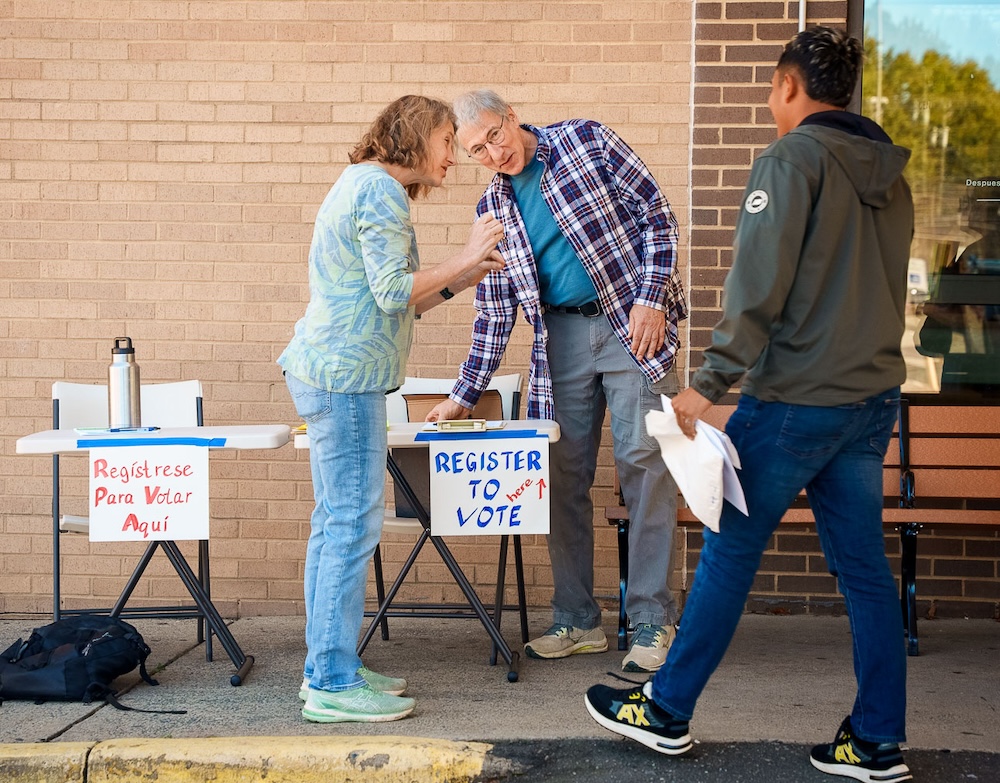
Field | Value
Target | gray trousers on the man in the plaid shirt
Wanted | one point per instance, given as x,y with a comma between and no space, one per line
591,373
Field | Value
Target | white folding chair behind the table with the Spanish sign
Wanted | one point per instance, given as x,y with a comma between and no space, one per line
177,404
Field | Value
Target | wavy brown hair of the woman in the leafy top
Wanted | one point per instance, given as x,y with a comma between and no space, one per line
400,133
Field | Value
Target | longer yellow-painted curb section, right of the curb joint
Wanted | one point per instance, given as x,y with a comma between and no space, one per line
286,760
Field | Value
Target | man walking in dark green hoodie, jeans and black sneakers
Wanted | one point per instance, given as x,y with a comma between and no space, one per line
813,313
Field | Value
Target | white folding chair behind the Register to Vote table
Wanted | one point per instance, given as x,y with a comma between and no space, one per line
413,462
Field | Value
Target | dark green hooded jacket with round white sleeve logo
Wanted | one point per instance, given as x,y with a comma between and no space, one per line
813,305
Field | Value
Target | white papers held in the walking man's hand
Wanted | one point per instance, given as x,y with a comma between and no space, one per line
704,468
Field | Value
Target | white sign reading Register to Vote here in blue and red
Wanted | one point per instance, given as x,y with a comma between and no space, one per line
487,485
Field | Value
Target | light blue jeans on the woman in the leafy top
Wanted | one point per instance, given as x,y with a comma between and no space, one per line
347,452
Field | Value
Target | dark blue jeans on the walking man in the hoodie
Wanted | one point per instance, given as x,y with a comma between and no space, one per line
836,454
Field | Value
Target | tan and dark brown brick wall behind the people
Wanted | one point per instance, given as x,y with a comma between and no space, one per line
161,163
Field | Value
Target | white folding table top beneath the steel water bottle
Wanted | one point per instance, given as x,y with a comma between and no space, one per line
239,436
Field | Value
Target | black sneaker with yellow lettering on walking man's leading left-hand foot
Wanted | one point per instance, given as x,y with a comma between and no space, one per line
633,714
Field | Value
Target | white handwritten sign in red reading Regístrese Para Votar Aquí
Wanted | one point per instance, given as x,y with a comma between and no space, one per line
143,493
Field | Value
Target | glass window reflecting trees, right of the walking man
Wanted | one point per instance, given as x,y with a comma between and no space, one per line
932,80
